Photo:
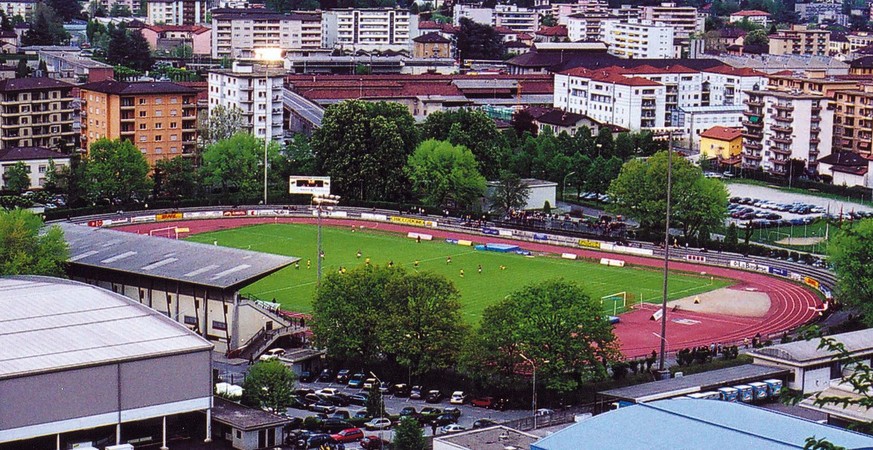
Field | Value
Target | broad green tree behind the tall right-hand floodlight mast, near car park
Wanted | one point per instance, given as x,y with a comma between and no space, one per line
640,191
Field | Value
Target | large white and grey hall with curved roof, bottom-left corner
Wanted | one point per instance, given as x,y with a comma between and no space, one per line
85,367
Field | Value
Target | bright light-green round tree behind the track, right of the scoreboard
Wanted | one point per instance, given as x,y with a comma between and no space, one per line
445,175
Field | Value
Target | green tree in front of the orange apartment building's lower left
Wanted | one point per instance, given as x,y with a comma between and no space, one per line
116,171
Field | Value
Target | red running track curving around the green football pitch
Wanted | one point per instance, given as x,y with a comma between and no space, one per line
791,305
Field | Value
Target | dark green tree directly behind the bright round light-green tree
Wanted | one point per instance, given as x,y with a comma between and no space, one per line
472,129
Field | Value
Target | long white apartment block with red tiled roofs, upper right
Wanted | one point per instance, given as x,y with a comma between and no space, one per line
667,91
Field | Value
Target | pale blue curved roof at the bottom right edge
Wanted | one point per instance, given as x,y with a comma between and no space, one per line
696,424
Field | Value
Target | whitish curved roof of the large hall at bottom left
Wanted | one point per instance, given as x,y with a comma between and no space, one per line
51,324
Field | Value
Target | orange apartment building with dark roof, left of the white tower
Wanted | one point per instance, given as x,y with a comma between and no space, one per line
160,118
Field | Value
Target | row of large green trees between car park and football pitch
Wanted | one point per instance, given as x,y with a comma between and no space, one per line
374,316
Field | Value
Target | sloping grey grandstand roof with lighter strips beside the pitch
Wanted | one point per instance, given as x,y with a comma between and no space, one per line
189,262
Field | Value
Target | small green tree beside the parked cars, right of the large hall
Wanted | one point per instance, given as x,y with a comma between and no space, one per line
269,384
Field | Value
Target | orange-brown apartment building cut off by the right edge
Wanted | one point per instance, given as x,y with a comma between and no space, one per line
853,120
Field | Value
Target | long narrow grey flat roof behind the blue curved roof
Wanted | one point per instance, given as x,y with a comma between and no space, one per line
697,382
